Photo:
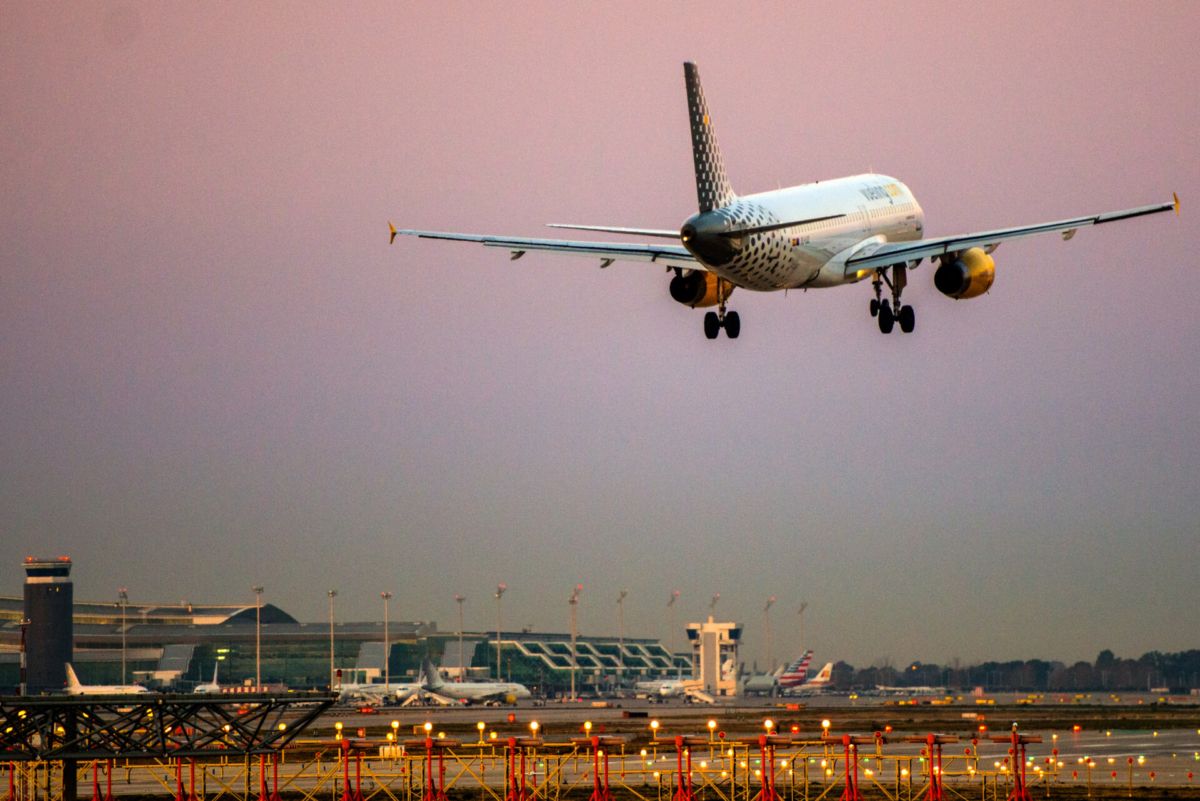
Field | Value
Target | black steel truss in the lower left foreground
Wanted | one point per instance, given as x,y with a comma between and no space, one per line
155,727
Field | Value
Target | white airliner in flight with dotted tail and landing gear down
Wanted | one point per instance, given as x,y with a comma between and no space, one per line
812,237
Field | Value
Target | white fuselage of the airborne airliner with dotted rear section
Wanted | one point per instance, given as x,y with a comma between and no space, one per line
873,208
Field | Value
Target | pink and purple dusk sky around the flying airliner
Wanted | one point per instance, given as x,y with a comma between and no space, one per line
215,372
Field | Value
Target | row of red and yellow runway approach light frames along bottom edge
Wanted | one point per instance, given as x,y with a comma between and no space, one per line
598,769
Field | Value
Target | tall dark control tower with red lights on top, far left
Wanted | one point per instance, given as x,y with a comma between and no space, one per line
50,601
